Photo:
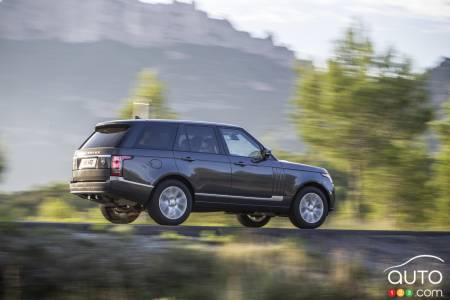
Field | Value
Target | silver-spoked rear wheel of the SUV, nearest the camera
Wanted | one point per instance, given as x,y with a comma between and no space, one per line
171,203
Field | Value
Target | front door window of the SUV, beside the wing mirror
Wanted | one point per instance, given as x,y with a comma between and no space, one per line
239,143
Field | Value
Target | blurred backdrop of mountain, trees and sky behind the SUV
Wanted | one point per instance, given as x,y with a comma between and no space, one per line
358,87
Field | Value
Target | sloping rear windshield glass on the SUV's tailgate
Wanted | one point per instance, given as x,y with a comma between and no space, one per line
106,137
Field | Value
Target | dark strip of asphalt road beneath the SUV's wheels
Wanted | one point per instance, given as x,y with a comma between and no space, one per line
378,247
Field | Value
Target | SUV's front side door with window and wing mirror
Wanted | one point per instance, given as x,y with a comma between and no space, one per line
251,176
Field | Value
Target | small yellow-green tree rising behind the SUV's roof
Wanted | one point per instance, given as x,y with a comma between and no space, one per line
150,90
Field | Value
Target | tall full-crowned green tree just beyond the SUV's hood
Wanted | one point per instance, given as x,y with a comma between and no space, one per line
361,111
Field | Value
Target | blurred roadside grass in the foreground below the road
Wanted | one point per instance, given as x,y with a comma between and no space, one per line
63,264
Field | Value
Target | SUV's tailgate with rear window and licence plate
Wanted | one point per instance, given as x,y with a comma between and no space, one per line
92,162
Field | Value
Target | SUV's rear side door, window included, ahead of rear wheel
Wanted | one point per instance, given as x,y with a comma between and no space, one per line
200,157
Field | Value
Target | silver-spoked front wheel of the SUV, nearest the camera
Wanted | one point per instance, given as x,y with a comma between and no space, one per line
306,214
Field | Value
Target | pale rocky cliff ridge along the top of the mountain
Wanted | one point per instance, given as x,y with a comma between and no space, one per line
130,22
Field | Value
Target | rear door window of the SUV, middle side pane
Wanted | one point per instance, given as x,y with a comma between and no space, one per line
202,139
